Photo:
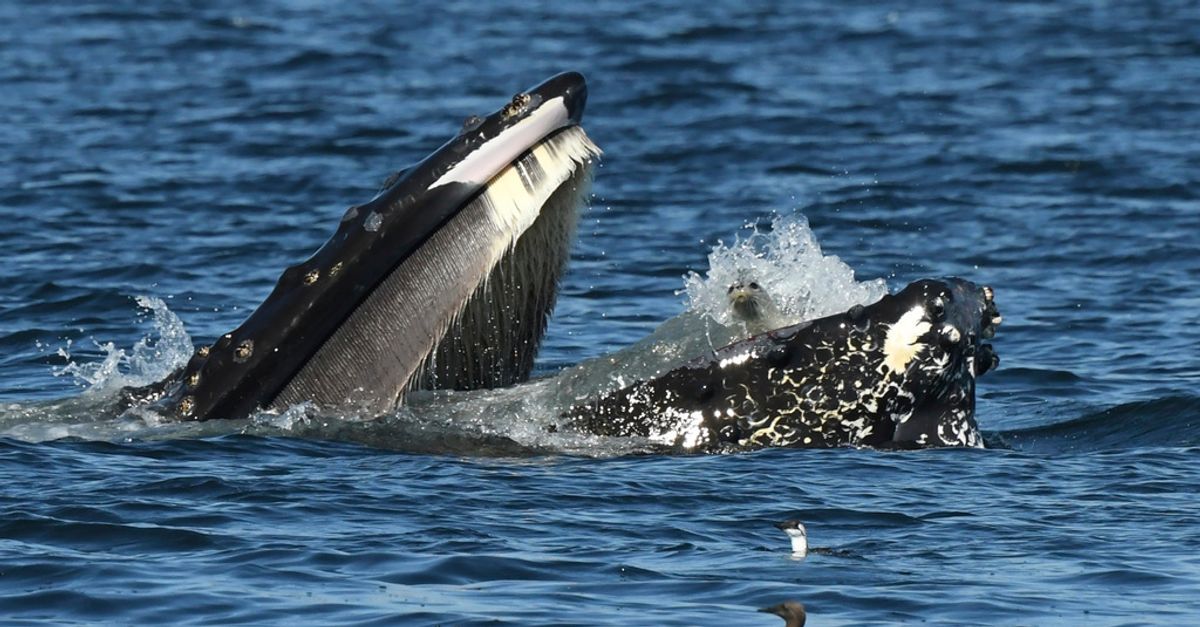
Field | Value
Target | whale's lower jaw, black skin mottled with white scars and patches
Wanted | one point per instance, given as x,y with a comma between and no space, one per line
897,374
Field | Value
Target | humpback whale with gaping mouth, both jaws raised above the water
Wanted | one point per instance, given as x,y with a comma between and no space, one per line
447,278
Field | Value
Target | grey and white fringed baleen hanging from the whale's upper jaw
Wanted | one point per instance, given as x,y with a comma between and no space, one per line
469,309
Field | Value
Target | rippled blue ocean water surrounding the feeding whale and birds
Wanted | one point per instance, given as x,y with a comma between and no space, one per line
163,163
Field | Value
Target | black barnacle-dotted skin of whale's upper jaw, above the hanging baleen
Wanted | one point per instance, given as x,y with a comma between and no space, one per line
249,368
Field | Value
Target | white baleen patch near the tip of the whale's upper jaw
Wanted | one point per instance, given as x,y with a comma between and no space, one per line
515,196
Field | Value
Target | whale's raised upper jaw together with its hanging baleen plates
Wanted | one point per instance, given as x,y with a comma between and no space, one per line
446,279
